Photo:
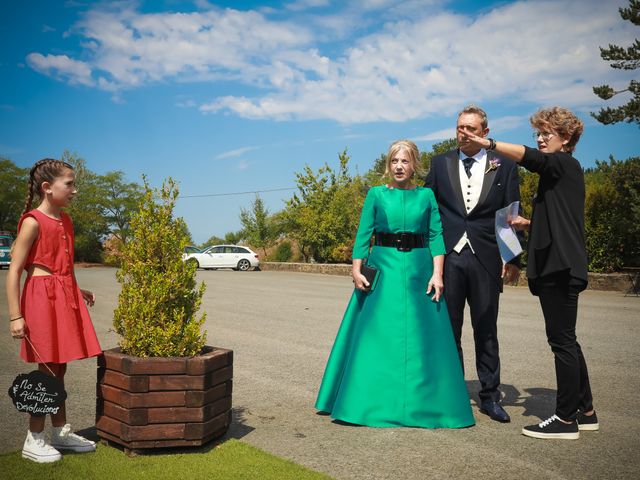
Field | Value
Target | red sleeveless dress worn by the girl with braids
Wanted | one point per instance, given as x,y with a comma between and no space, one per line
57,320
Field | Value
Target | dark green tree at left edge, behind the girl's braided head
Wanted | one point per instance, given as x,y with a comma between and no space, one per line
12,194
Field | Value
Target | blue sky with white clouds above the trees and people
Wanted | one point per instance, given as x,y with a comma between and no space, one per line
233,97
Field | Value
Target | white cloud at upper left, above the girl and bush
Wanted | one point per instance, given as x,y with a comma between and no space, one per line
128,49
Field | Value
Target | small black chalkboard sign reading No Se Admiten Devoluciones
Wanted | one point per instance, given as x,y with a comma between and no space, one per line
37,393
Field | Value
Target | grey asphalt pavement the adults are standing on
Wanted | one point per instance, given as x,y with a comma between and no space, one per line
281,327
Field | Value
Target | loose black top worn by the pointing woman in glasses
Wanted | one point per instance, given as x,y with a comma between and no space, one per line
556,241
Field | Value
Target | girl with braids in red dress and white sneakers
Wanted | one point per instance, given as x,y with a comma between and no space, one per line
50,317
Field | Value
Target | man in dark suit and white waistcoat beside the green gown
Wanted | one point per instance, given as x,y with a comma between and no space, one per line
470,184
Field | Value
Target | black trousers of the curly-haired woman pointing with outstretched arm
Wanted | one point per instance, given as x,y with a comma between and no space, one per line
559,302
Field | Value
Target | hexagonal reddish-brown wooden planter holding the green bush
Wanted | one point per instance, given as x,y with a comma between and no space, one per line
145,403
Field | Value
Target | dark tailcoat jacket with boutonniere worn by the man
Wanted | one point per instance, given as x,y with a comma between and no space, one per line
499,188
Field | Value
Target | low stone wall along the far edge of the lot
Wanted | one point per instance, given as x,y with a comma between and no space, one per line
618,282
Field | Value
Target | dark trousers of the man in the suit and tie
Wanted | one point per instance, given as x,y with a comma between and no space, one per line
467,281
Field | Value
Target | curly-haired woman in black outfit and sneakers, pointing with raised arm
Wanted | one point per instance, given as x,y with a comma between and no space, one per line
557,260
